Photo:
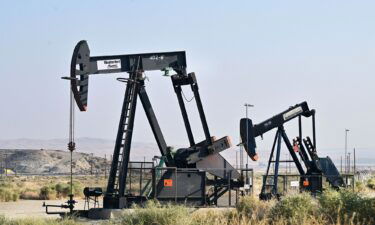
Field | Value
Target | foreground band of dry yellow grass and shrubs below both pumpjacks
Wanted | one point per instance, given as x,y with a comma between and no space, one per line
344,207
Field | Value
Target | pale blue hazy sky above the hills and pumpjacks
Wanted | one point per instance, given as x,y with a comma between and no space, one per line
272,54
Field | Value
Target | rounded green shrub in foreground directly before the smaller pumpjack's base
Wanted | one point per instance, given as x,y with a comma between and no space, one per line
295,209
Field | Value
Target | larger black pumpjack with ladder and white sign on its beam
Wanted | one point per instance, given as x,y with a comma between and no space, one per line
197,167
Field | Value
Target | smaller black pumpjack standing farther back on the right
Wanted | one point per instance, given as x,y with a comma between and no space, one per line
311,170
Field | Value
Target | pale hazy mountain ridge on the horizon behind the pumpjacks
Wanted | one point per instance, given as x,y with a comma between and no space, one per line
146,151
